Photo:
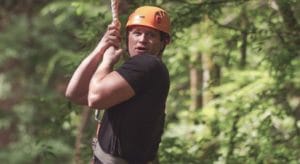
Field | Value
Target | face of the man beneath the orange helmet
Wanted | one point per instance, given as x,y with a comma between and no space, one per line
144,40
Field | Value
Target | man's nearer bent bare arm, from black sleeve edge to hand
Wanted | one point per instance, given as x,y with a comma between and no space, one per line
107,87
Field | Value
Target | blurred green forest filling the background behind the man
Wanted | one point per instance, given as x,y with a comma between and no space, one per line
234,68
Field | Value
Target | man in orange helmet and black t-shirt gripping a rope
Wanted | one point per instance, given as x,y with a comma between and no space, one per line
134,94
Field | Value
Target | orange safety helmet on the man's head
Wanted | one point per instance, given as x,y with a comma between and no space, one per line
150,16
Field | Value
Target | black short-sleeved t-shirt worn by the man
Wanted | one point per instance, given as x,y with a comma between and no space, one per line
132,130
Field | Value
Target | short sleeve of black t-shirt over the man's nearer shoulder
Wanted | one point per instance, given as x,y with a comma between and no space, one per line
136,71
